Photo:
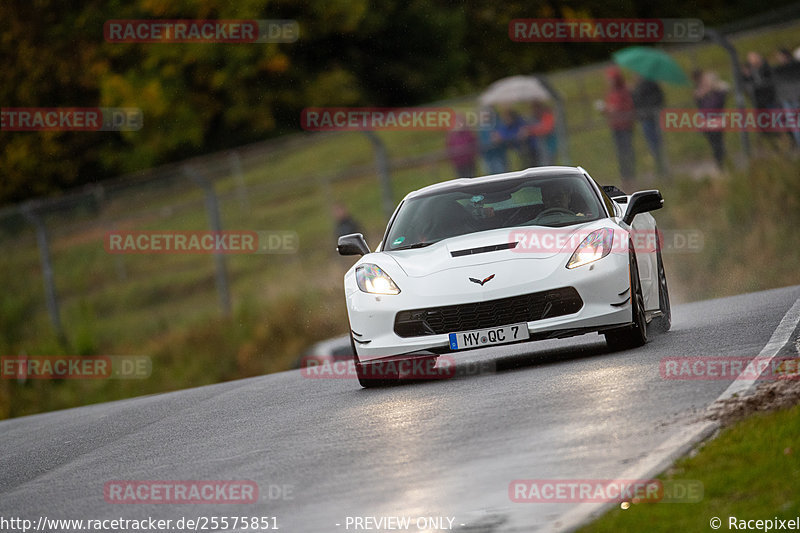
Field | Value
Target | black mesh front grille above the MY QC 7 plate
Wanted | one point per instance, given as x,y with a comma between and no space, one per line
489,314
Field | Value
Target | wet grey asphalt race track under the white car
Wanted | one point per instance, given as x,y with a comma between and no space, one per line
566,409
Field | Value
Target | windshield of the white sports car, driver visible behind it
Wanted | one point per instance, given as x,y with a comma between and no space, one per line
553,201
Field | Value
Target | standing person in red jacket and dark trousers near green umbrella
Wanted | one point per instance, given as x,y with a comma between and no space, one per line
619,111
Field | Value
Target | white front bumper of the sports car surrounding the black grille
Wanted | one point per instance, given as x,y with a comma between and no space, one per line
603,286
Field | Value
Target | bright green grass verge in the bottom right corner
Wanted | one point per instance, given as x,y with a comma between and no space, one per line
750,471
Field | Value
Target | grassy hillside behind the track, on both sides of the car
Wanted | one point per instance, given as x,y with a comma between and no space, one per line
166,306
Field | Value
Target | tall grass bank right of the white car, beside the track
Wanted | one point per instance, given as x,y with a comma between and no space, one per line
749,223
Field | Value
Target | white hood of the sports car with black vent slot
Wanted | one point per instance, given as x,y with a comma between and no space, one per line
478,248
